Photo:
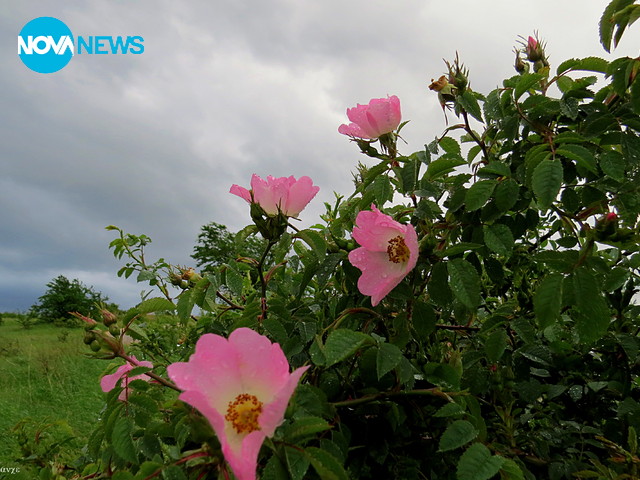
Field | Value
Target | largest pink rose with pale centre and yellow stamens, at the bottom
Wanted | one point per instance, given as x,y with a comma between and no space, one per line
242,386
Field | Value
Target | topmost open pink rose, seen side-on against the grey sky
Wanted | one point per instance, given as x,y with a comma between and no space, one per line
380,116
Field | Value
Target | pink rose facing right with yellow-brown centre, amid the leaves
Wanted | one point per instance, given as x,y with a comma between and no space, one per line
388,252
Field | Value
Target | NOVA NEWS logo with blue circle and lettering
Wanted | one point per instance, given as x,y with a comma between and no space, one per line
46,45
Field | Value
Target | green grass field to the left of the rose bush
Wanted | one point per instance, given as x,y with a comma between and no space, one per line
46,378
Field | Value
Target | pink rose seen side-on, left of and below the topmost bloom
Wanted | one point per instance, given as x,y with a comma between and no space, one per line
275,195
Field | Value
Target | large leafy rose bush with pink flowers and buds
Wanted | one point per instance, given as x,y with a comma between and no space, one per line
469,312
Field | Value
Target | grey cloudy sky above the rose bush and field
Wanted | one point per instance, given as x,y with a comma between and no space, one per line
225,88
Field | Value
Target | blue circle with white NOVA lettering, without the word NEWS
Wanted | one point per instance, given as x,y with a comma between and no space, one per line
45,45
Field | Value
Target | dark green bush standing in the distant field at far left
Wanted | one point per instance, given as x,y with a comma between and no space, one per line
64,296
